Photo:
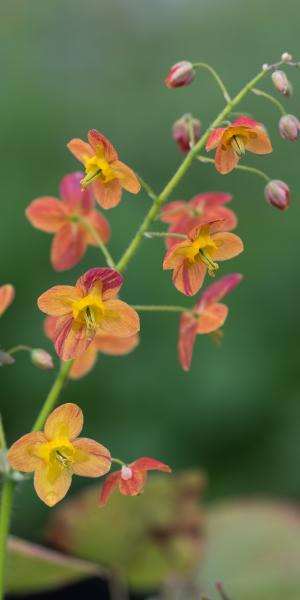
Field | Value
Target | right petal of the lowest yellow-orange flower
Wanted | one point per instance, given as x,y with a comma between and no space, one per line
91,459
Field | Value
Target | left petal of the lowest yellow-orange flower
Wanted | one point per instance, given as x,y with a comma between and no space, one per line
21,455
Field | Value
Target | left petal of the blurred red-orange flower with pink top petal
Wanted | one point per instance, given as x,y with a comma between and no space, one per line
46,213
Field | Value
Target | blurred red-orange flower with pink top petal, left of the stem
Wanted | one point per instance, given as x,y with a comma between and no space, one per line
63,218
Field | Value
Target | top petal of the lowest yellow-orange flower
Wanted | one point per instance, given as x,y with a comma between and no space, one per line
66,421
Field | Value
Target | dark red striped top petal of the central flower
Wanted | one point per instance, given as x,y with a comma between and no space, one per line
108,281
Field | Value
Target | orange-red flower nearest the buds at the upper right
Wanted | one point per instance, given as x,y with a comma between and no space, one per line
233,141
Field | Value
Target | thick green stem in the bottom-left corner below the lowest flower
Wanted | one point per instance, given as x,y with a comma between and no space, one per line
5,517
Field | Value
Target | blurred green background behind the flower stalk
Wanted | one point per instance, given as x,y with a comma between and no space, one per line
71,65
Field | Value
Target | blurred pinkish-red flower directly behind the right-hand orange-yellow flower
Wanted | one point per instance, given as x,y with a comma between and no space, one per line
184,216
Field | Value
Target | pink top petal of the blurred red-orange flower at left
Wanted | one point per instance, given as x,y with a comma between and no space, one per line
76,200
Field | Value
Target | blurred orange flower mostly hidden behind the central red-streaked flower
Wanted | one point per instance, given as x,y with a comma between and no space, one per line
102,343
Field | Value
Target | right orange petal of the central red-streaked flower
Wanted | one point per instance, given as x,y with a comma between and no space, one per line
119,319
